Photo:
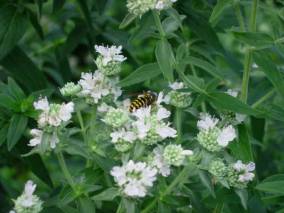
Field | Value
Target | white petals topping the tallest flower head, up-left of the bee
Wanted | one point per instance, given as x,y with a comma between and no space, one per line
110,54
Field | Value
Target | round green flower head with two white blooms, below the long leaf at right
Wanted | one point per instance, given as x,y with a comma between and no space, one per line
213,137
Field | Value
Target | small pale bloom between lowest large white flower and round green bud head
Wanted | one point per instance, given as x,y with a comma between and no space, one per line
159,162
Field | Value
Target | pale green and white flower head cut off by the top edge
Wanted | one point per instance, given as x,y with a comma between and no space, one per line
139,7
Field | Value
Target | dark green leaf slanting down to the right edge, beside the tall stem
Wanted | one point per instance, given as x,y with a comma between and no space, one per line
271,71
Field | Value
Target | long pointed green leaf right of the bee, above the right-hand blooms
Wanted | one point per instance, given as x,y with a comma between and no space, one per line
227,102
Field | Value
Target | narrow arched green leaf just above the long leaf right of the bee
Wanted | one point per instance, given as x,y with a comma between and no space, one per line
206,66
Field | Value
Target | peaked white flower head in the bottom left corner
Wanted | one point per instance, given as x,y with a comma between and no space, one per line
28,202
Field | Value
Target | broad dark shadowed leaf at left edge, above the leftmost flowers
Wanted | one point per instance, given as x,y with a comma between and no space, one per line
23,70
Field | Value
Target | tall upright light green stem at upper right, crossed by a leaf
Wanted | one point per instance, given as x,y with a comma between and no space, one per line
248,54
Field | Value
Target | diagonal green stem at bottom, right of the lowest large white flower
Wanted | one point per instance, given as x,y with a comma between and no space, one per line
182,175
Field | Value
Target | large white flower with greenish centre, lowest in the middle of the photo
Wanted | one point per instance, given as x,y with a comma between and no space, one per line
134,178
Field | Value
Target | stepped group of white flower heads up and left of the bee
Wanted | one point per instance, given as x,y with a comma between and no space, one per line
102,84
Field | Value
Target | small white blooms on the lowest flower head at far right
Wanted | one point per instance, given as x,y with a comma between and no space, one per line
245,171
